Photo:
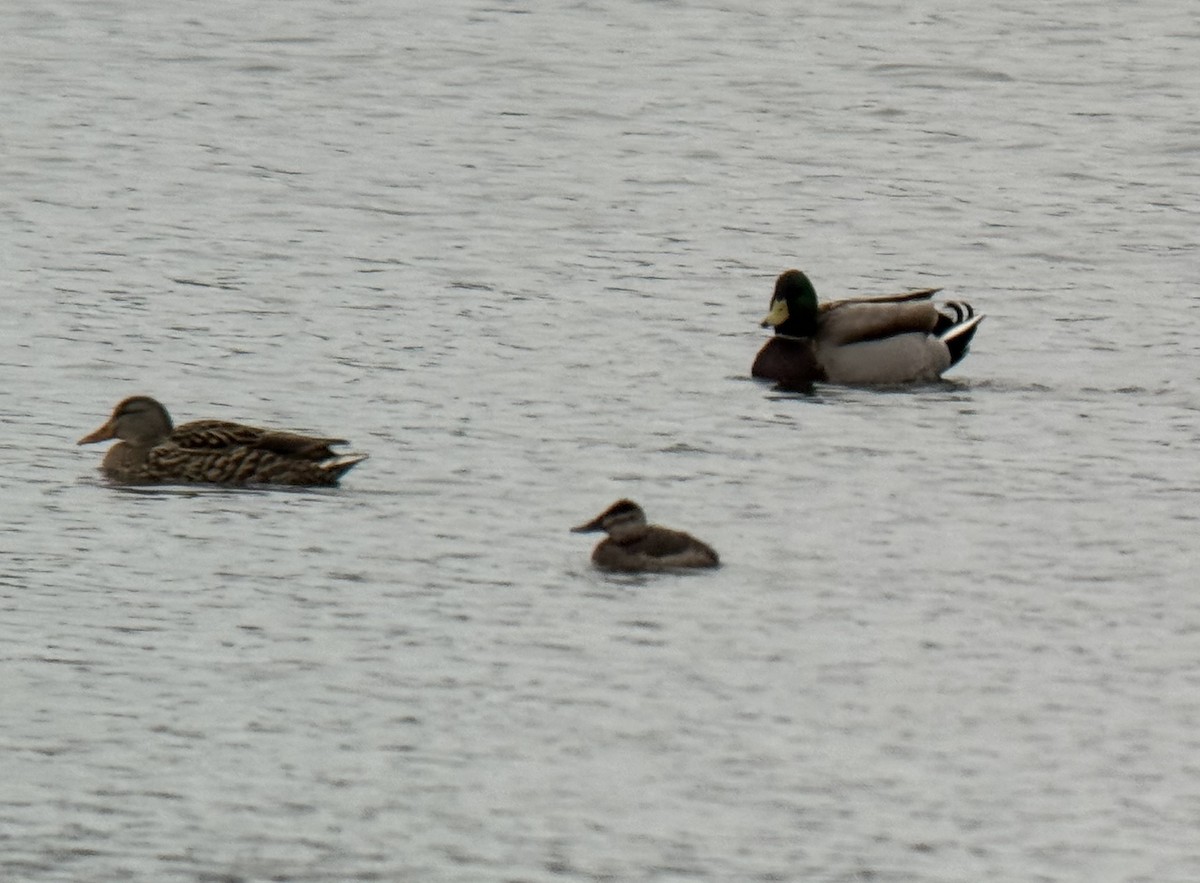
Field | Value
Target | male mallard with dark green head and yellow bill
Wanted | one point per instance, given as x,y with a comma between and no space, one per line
889,340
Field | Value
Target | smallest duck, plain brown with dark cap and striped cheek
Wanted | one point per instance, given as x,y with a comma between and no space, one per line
634,546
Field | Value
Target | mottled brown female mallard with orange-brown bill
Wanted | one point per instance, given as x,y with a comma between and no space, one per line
153,450
